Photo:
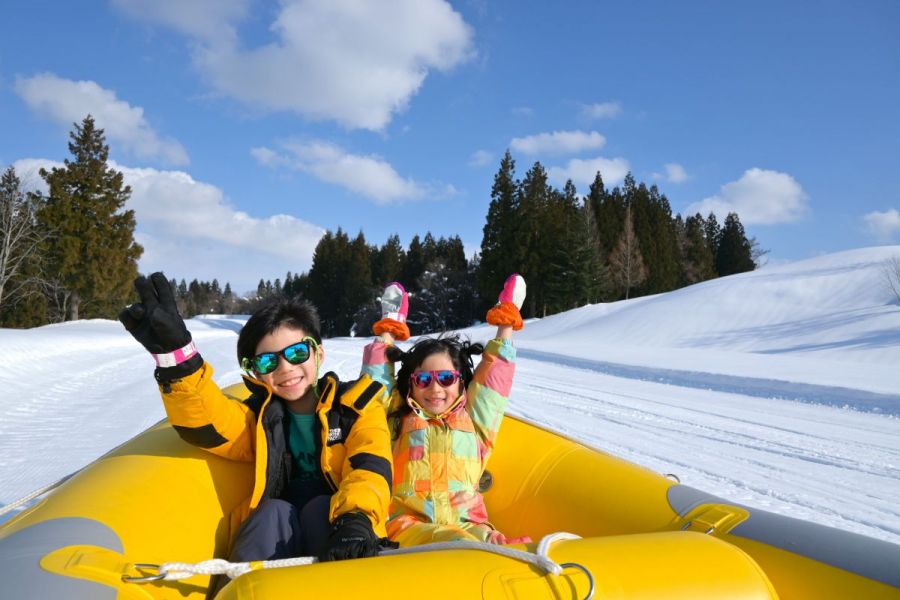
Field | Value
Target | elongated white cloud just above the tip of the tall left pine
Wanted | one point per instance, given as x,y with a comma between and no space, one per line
66,102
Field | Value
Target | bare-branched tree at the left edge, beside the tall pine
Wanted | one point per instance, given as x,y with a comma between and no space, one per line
20,238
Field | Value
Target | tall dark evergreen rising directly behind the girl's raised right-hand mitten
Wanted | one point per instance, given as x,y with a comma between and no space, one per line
500,245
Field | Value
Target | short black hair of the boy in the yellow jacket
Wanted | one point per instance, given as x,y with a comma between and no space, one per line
289,312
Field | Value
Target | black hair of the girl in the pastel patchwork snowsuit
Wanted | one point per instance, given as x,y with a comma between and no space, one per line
460,351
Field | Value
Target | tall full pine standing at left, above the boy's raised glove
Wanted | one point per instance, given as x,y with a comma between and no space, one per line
91,254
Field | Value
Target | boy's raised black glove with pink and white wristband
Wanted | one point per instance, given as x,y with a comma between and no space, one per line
156,324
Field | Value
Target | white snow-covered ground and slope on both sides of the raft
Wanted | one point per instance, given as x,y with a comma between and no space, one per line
778,388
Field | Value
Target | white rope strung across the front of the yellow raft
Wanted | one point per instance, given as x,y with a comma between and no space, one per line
174,571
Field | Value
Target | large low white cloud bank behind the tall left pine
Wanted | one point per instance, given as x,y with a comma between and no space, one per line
189,229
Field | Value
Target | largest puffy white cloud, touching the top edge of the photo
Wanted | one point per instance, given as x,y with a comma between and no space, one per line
357,63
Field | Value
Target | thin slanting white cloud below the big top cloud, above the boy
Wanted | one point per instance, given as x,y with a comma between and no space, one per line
369,176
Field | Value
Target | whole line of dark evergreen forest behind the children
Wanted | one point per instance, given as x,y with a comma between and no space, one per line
70,253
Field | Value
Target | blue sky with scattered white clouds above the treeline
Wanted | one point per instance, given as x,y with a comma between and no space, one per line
247,128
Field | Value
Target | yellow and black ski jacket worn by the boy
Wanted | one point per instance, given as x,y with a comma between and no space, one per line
354,444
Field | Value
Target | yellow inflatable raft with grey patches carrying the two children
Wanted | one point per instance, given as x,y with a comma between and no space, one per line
156,500
